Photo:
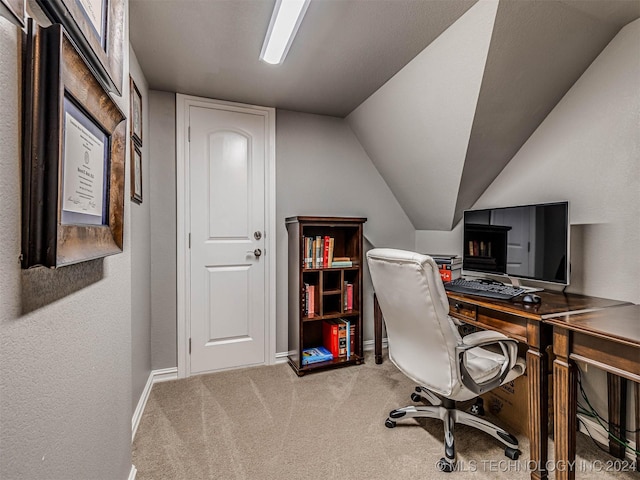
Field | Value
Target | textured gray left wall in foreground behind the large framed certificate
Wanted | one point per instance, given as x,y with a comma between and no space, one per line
65,335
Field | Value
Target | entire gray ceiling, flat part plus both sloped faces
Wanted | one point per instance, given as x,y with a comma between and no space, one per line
441,94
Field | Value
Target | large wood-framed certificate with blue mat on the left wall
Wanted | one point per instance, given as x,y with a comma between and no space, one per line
57,78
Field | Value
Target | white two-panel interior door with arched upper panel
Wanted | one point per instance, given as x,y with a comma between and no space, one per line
228,271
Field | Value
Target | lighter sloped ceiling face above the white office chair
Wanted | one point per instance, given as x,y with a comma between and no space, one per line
416,127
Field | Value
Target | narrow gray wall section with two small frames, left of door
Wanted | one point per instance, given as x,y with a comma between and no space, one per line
140,254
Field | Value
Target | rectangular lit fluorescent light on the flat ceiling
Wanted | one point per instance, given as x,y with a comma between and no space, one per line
285,20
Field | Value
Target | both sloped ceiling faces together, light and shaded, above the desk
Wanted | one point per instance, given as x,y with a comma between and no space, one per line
538,50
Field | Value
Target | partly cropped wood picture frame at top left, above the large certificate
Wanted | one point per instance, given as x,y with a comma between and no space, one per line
102,49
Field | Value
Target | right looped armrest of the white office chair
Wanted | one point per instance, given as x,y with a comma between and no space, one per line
509,348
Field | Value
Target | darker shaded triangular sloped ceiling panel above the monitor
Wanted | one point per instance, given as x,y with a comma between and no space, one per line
538,51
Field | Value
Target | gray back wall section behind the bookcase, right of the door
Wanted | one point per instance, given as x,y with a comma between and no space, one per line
323,170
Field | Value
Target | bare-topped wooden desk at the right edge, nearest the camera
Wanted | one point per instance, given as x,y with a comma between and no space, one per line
608,339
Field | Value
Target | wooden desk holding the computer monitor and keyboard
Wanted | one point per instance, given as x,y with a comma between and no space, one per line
523,323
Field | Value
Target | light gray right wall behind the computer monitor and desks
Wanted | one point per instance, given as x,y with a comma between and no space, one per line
587,152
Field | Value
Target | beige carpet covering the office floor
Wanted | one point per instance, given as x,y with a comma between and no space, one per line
266,423
